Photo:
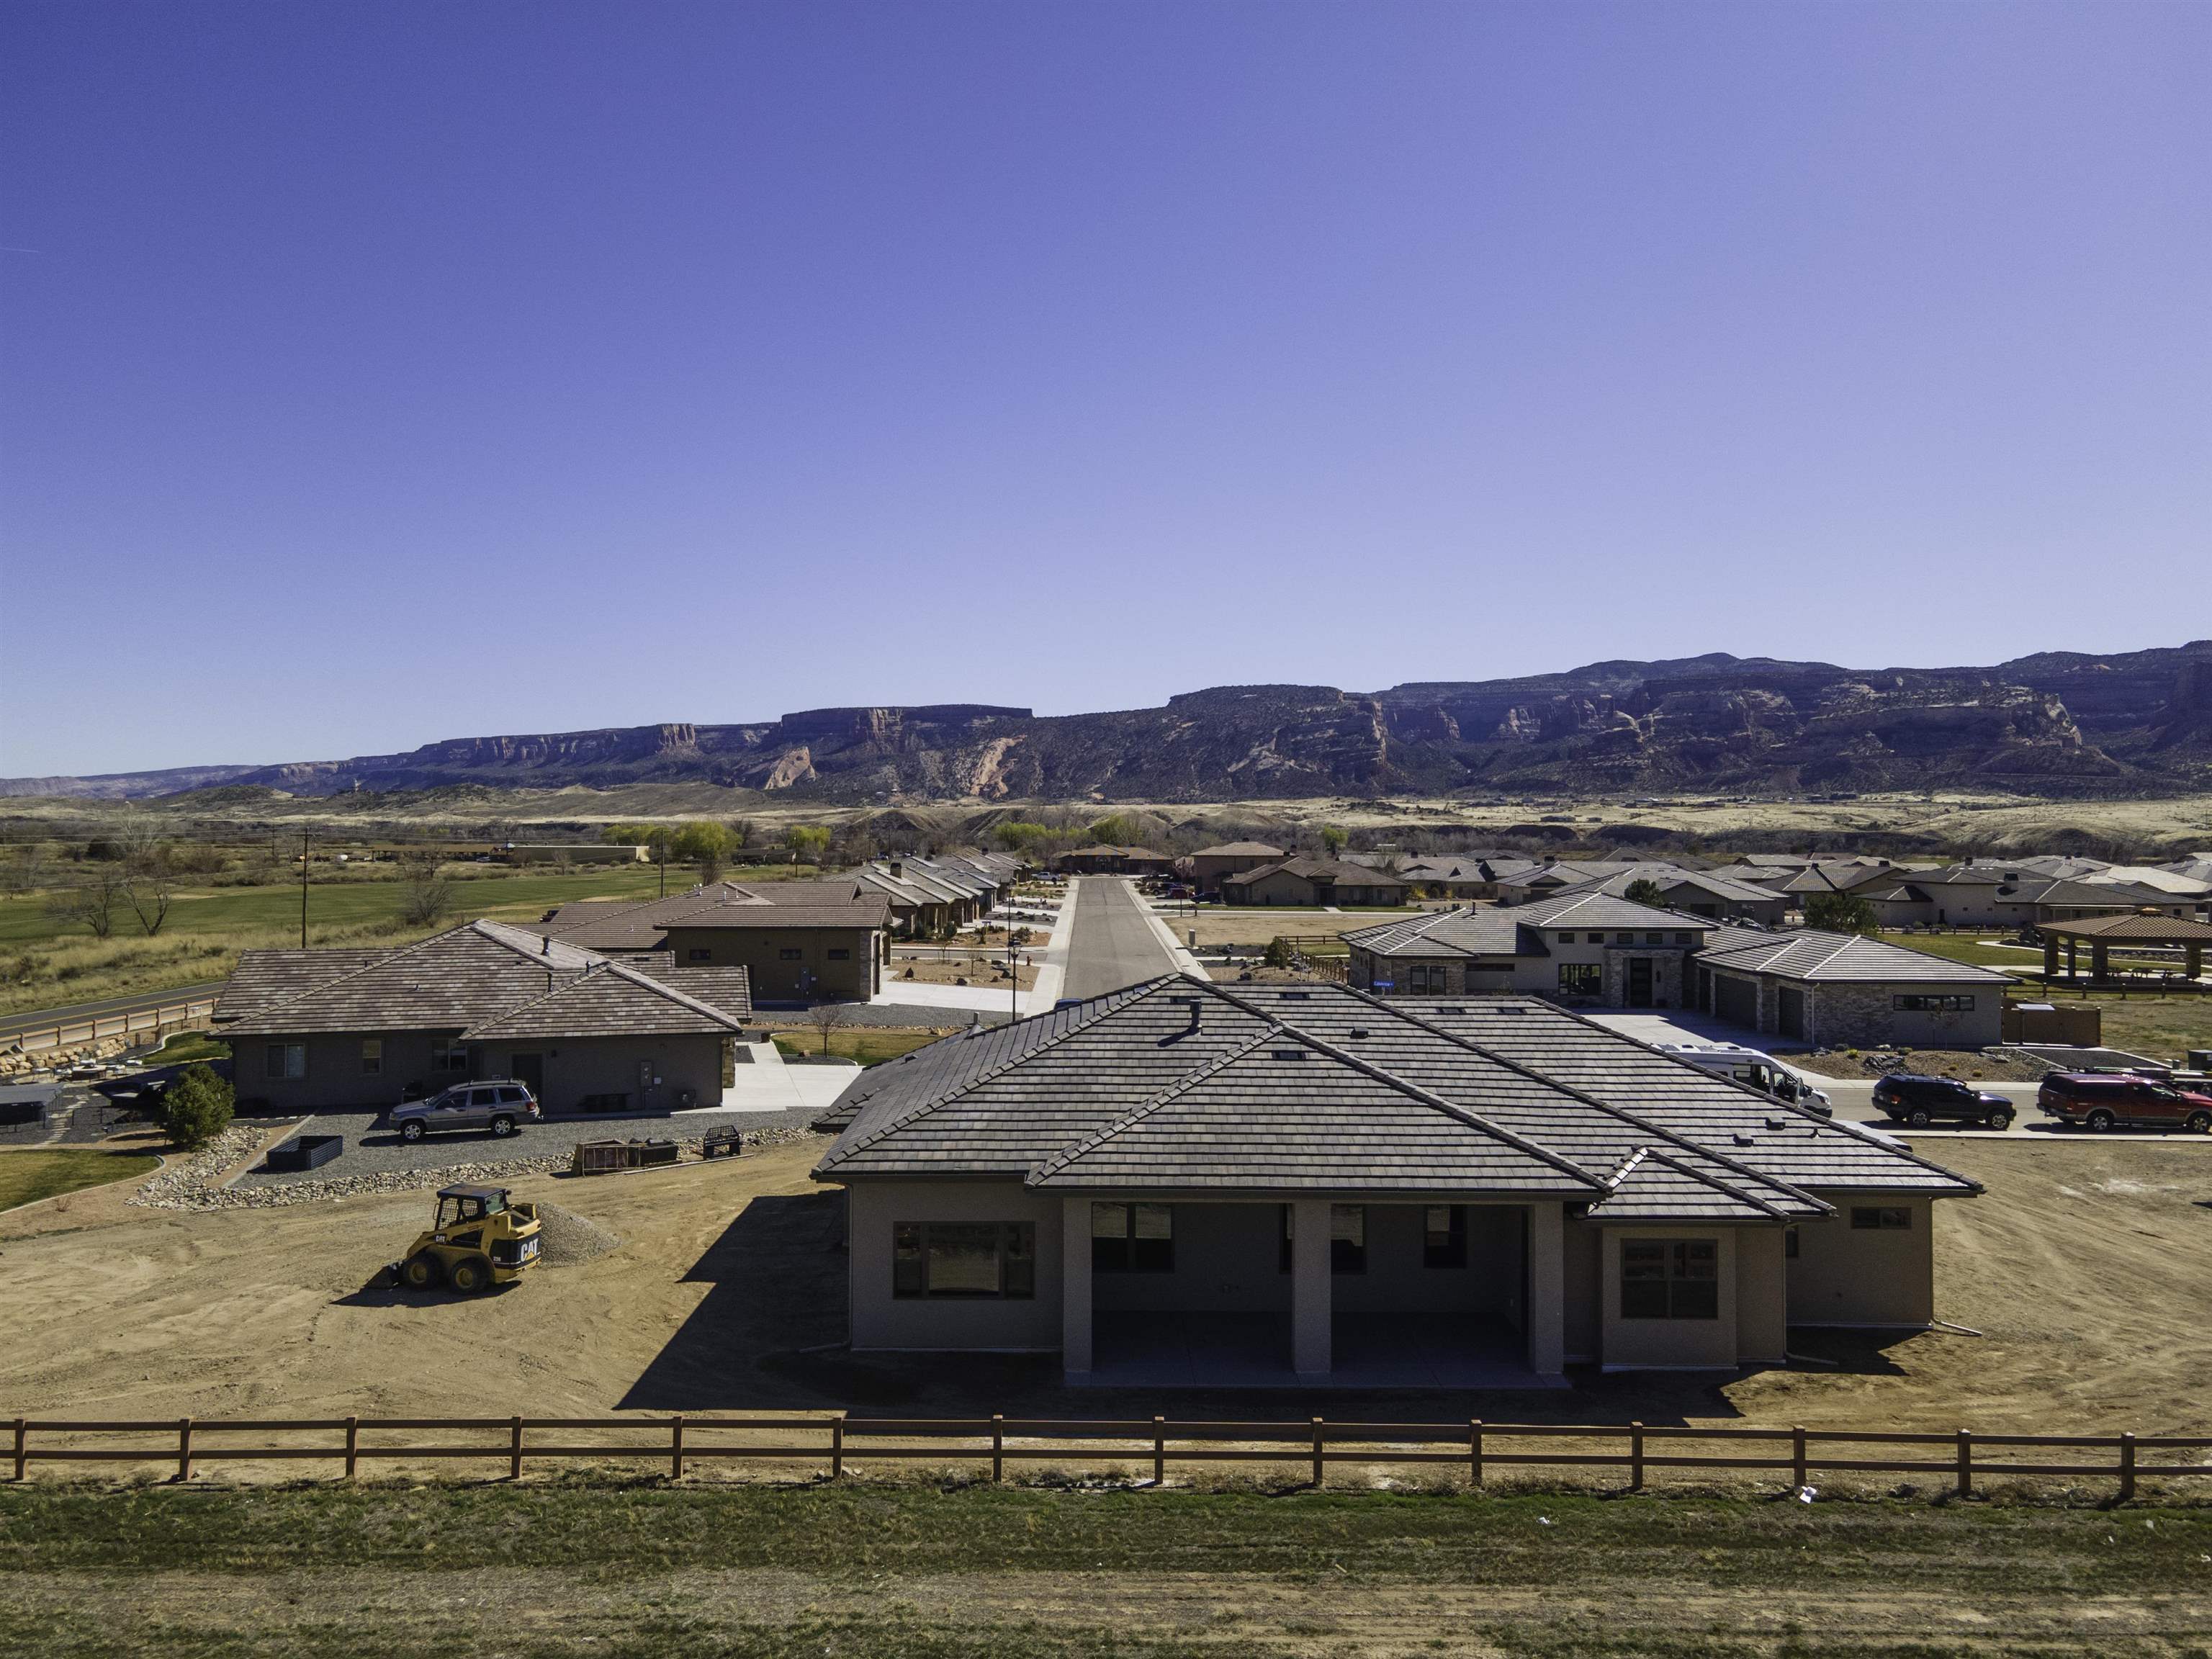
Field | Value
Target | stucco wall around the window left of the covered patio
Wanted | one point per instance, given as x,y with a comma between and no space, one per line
881,1319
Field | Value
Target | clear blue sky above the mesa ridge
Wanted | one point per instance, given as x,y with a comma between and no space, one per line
390,373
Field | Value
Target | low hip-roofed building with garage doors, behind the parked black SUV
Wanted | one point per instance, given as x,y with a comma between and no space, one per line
1839,990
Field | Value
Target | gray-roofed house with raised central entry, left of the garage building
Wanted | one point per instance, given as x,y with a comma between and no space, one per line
1583,948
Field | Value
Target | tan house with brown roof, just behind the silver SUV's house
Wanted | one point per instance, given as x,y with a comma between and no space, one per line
802,941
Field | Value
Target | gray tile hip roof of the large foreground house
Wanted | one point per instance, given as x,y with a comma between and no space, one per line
1182,1085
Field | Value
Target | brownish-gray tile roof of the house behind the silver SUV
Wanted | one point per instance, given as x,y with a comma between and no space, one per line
472,981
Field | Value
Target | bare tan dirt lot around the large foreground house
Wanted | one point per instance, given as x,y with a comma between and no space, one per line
2085,1266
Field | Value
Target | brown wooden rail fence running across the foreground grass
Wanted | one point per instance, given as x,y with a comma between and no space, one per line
839,1441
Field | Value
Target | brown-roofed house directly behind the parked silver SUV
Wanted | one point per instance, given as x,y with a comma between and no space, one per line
359,1030
